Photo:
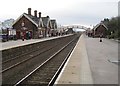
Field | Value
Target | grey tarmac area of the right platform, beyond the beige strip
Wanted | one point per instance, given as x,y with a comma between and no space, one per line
102,56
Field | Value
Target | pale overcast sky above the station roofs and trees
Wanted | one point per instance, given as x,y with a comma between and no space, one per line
83,12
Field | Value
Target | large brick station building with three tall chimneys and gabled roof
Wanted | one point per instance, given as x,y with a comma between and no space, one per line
33,26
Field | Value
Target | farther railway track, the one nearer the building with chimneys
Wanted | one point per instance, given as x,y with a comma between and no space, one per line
13,62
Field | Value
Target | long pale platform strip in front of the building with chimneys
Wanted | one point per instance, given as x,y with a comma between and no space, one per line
17,43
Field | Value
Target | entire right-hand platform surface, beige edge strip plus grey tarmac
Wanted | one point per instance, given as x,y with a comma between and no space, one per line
91,62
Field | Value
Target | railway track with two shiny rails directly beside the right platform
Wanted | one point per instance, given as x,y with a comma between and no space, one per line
47,72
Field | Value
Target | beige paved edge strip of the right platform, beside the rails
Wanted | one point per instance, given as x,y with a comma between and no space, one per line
77,68
